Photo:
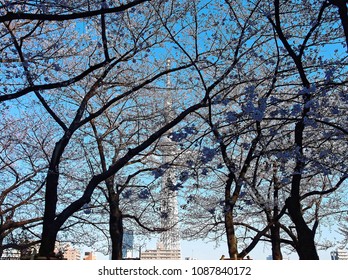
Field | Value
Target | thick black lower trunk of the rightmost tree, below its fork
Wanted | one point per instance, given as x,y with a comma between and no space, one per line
306,246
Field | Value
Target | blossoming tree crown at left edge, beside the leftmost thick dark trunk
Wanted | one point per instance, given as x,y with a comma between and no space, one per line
24,147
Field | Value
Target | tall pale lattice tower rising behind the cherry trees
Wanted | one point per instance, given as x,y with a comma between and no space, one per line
169,239
